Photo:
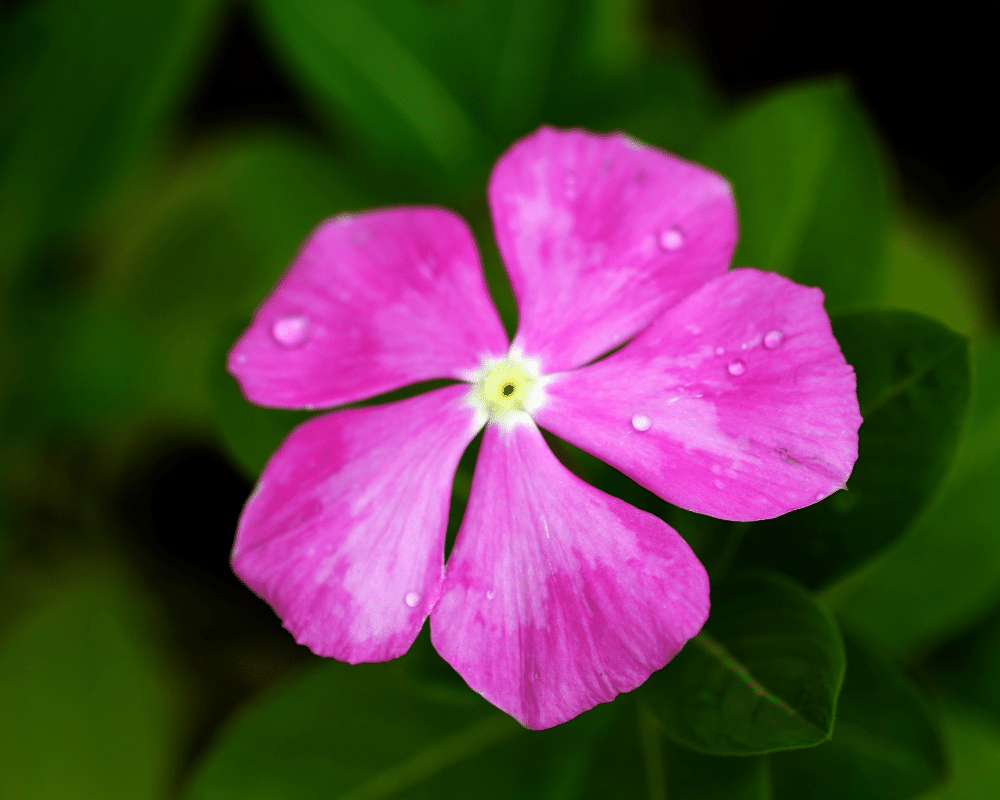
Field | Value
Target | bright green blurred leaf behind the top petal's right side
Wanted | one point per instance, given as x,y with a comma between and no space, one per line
811,188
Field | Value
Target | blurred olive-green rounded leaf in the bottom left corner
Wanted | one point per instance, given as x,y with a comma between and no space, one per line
84,709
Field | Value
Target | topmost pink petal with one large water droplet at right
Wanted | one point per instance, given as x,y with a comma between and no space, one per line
600,235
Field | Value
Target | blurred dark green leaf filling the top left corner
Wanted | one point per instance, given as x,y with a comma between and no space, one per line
86,85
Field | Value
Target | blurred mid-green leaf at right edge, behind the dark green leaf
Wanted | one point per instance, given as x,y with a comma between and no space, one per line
946,570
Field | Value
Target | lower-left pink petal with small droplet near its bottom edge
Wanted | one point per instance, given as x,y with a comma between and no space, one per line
344,534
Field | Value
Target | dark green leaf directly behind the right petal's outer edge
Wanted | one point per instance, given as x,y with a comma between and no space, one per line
913,387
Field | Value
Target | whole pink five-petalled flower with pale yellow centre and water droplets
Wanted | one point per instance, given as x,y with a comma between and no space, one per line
731,399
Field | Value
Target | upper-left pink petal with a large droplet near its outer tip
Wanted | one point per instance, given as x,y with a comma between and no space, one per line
372,302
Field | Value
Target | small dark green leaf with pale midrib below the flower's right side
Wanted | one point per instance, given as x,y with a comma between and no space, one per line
762,676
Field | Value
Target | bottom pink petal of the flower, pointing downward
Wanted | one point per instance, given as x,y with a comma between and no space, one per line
557,596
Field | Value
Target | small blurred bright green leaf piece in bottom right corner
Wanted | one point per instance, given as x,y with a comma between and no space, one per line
974,750
